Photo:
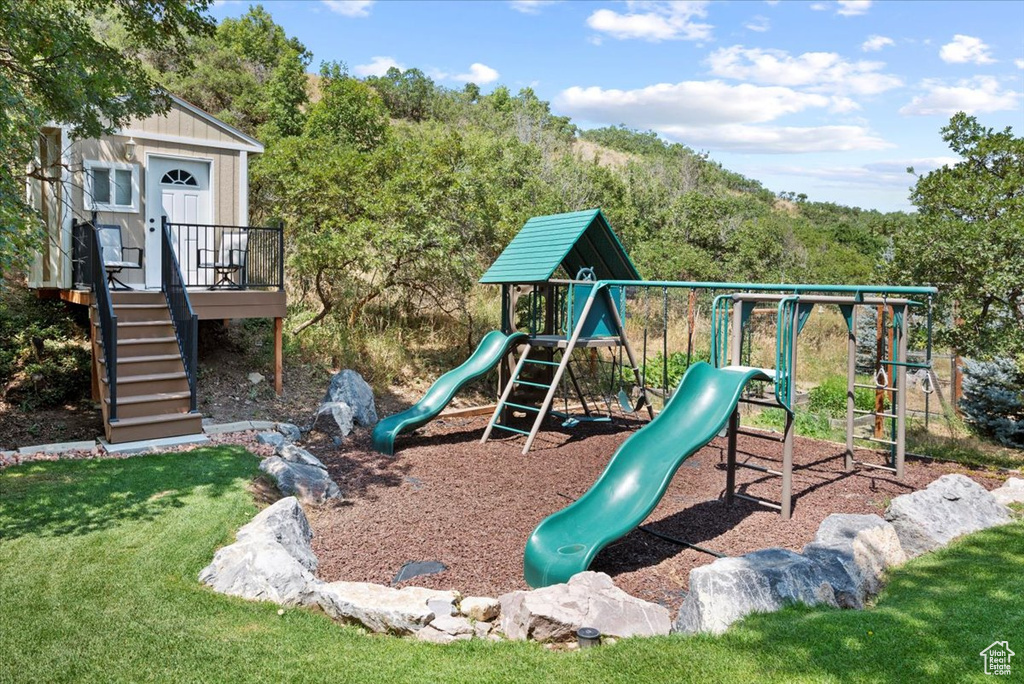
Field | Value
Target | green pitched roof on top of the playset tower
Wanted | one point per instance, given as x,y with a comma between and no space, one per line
574,241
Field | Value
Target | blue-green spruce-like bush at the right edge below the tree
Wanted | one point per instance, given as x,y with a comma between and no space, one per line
994,400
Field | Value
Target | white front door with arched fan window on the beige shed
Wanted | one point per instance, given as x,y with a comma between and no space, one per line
180,190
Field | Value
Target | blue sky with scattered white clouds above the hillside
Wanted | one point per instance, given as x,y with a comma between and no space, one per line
831,99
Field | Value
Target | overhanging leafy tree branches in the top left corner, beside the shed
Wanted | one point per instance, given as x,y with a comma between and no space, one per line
54,68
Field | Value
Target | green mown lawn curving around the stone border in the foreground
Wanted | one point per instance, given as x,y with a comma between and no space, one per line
98,583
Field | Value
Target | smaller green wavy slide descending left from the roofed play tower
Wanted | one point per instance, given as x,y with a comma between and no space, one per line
492,350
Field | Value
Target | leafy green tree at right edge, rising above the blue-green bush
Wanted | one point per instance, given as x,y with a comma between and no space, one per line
969,239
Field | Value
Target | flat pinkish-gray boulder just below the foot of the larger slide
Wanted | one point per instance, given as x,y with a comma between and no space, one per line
589,600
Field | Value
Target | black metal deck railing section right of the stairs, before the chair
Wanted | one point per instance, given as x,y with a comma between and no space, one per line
258,255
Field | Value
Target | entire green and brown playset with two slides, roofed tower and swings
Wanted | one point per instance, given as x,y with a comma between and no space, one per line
568,289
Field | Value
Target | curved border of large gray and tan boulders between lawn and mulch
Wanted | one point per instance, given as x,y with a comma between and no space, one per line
844,567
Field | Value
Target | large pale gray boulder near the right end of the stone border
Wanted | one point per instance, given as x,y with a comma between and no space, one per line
950,507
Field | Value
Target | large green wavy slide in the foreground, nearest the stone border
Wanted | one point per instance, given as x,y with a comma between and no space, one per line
637,477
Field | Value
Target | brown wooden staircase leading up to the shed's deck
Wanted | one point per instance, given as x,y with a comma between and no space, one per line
153,394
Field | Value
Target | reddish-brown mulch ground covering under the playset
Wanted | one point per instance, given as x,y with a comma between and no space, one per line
446,497
